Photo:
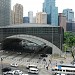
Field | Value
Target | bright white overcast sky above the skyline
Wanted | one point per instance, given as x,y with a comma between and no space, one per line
37,5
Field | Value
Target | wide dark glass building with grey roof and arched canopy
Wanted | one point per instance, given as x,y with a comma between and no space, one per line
40,34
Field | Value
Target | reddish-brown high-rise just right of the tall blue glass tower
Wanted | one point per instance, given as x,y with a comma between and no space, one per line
62,21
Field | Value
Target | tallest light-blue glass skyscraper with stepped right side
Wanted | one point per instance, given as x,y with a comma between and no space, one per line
52,12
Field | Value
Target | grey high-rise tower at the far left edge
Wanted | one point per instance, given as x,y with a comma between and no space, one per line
5,15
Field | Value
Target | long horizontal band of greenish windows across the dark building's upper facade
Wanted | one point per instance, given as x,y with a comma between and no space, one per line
42,30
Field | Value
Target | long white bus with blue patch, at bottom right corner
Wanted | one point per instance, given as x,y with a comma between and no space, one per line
67,69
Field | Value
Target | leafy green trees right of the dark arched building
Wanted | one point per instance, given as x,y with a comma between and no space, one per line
69,40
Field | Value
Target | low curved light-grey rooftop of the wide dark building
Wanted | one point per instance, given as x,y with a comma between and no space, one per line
28,25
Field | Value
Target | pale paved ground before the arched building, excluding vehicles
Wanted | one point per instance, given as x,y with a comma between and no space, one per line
25,59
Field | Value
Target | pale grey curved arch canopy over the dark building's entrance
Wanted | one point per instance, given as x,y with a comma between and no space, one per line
37,40
